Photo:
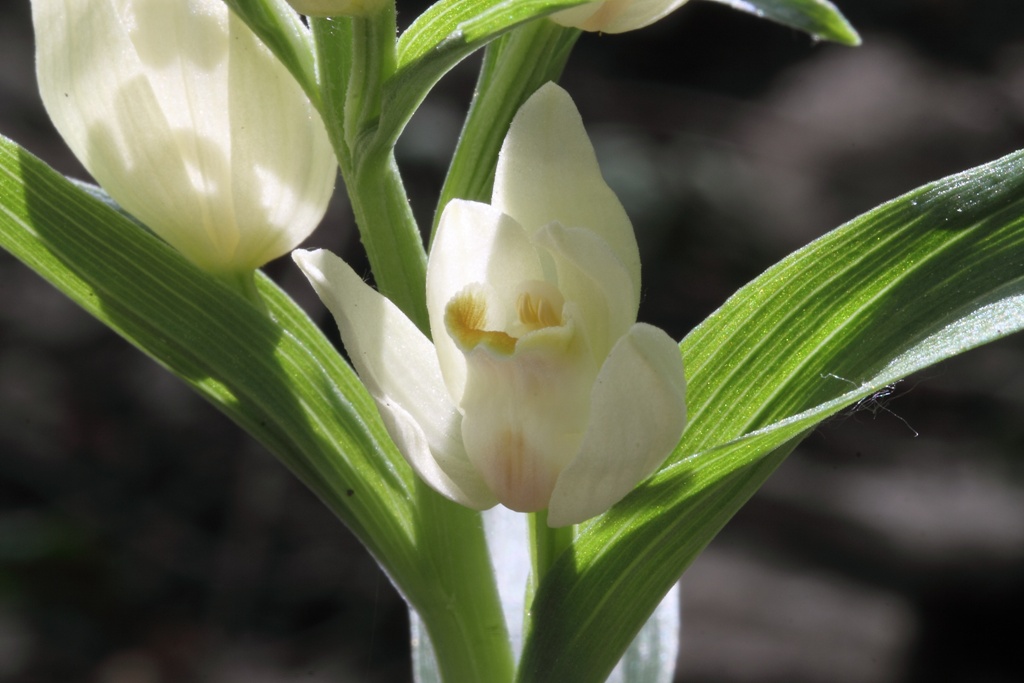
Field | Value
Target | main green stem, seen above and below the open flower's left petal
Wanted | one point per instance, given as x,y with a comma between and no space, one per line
454,592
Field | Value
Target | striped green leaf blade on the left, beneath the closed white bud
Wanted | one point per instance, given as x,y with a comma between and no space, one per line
275,374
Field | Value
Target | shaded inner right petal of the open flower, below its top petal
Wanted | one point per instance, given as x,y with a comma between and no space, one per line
592,278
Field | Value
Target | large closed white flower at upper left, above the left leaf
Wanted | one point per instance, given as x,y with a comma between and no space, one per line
189,122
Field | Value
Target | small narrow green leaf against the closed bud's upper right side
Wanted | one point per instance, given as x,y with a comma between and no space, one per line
282,30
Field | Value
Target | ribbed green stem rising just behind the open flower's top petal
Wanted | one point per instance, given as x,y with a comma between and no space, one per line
515,67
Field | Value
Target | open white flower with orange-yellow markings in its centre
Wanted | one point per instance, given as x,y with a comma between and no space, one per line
540,390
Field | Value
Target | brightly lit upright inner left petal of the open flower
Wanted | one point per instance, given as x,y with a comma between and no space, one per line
475,244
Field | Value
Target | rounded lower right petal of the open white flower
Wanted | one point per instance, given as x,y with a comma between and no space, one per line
638,412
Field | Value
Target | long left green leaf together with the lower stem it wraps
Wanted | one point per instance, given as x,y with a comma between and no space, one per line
276,375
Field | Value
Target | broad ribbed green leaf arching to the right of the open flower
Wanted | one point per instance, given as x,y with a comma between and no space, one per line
916,281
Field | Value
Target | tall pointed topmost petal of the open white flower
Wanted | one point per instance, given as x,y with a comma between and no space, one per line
547,173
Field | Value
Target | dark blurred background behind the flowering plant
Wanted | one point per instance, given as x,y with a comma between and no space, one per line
145,539
